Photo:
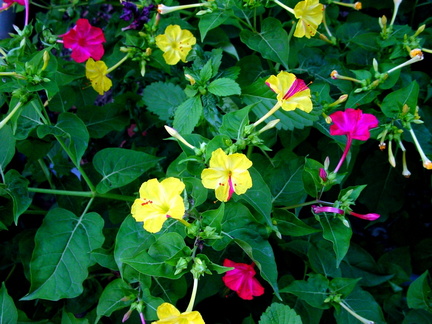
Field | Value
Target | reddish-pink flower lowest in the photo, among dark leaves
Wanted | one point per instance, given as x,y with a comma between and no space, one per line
242,280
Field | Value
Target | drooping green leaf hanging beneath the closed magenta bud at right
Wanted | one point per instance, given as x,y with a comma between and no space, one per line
337,233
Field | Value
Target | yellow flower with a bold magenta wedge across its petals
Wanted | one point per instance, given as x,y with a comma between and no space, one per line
291,92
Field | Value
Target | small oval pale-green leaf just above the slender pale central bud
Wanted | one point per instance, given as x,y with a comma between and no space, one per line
187,115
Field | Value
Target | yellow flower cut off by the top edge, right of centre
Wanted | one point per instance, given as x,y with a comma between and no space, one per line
310,15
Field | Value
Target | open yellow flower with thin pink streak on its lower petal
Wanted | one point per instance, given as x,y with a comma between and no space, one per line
227,174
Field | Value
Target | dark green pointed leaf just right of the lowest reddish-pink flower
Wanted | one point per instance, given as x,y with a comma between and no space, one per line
313,291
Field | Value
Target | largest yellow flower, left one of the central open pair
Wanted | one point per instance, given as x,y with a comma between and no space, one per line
157,202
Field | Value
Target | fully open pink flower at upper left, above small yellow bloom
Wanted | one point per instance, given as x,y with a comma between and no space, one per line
85,41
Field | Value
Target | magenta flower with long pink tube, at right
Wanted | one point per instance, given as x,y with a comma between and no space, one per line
354,124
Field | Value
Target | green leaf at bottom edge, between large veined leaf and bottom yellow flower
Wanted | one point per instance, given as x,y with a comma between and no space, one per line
113,298
